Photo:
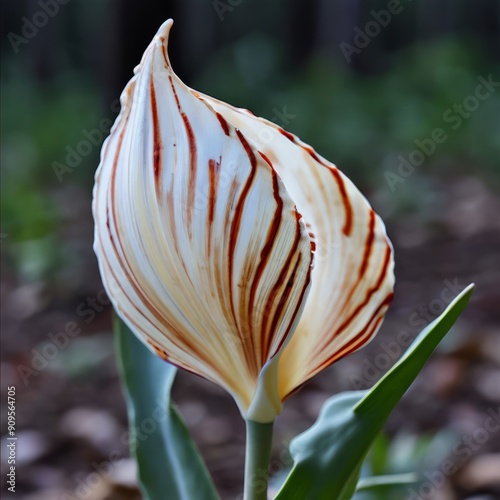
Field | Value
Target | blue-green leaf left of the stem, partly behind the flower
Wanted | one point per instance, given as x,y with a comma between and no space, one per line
169,465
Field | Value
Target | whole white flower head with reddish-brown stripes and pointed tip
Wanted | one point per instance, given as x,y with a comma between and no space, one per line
208,220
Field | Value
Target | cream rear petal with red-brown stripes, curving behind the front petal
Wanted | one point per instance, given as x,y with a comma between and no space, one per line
352,280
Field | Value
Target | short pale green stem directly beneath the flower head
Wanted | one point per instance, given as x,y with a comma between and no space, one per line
258,453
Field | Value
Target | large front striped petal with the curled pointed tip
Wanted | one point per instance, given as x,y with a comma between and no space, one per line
200,246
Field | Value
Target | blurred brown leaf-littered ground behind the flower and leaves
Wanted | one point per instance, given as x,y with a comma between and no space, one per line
72,414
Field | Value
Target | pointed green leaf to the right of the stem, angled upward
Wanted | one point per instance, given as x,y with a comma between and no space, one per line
328,456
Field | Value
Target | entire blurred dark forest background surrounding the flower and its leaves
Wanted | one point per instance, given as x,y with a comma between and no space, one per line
401,95
